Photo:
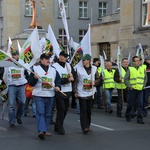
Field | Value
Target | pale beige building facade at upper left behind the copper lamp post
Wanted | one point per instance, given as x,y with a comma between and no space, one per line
15,19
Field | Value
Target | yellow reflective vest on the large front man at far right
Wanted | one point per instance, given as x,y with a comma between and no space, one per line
137,77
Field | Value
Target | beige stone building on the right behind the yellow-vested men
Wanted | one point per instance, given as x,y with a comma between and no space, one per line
125,28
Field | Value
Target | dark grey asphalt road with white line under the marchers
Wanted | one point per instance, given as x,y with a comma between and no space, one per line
109,133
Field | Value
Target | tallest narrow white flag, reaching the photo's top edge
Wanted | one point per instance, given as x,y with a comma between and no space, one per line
63,15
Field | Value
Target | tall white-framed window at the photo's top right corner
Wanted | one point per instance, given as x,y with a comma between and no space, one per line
145,13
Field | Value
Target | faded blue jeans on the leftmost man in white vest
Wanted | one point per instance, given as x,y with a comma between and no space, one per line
16,93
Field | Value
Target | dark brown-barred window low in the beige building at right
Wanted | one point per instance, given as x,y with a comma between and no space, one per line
105,47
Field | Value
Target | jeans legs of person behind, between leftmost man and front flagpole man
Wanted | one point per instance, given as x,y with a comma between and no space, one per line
27,106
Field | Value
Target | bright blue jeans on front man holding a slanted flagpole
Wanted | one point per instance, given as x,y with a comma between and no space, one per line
44,107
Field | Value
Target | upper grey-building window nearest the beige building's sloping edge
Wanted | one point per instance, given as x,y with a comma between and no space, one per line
102,10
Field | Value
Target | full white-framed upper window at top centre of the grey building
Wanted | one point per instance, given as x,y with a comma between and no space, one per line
83,10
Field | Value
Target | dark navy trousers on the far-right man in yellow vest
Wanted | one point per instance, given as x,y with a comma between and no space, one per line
134,95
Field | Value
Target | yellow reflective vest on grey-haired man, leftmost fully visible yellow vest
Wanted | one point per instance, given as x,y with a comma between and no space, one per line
109,79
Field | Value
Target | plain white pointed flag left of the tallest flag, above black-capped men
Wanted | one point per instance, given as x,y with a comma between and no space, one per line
51,37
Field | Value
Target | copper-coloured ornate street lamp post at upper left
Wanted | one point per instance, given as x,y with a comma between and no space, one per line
34,22
